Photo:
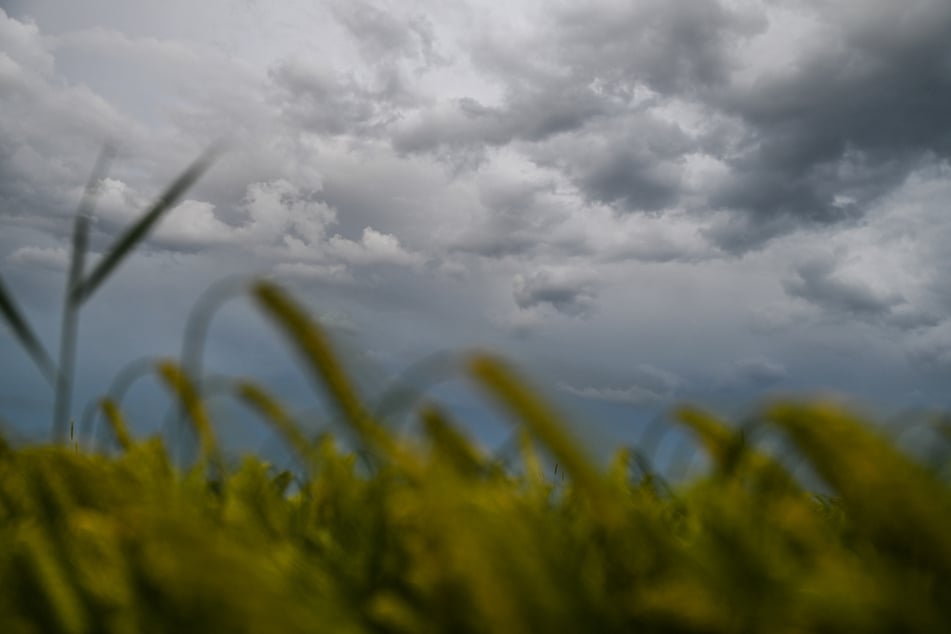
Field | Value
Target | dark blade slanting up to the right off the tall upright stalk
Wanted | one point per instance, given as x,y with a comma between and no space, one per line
138,231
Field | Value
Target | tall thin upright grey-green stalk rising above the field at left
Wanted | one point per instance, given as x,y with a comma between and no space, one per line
70,317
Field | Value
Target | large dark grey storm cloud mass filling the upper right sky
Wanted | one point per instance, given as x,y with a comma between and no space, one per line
811,142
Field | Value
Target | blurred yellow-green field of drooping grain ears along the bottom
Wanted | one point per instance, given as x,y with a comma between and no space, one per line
435,536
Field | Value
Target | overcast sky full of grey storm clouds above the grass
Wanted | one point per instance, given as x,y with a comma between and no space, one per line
640,203
